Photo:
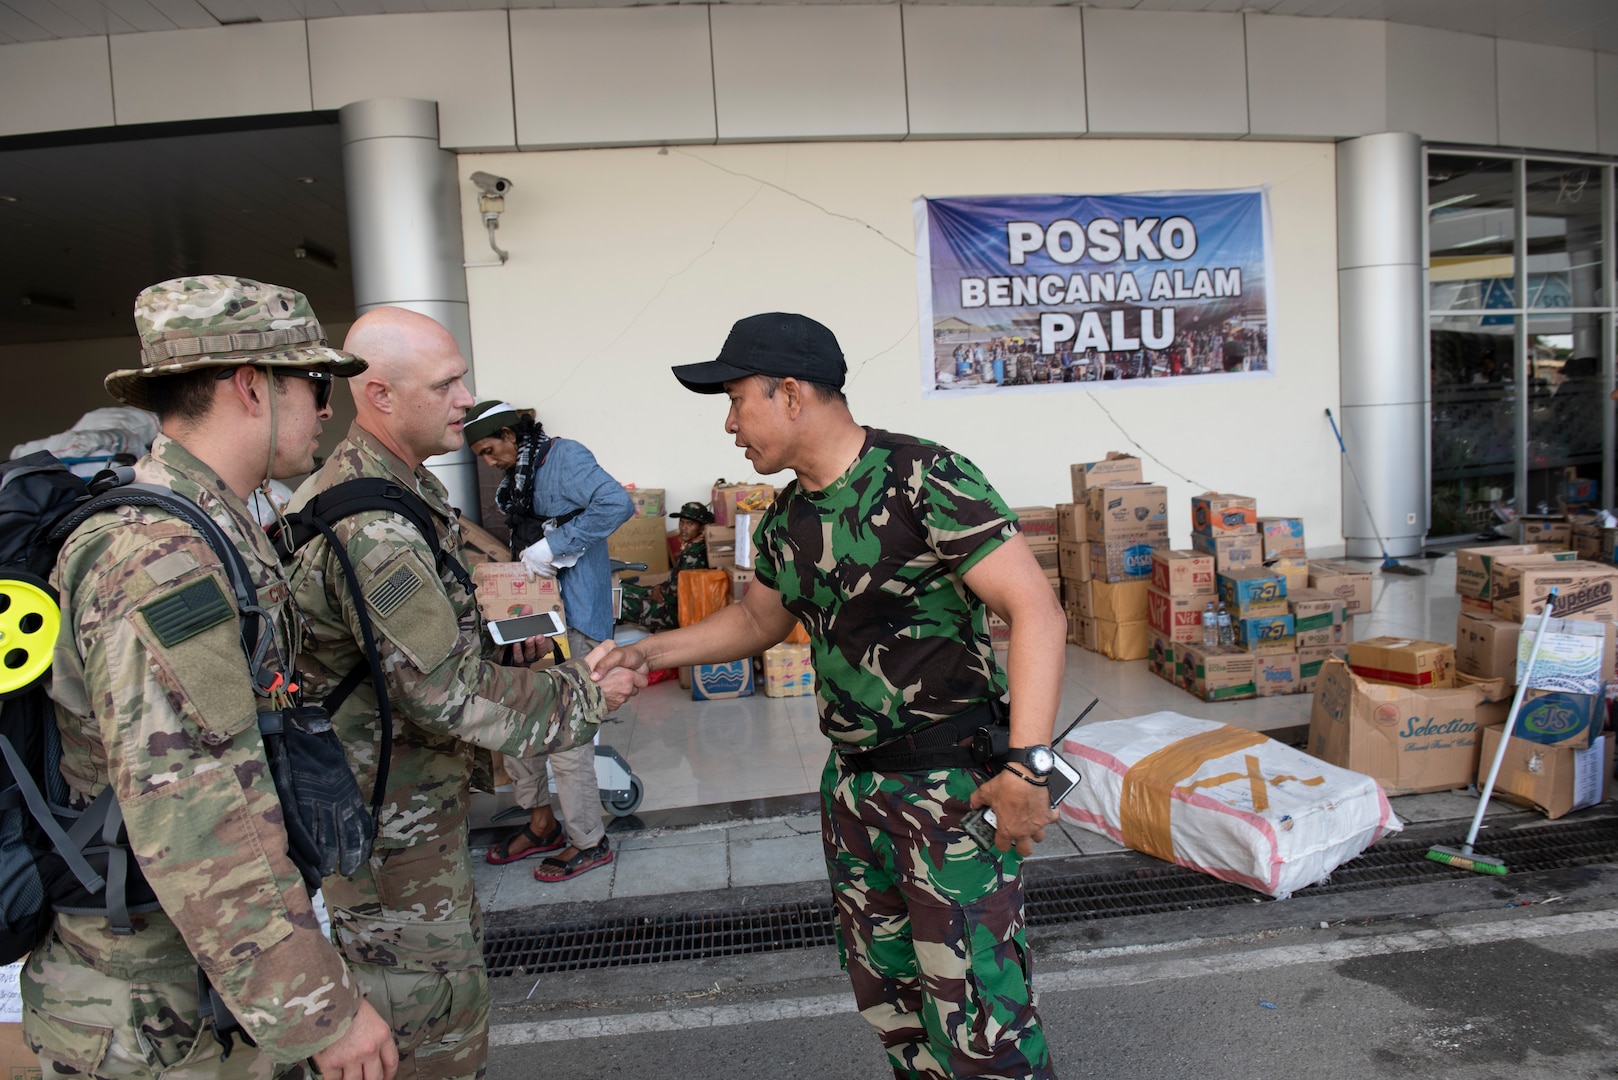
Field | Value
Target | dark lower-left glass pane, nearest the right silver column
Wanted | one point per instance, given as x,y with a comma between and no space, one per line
1475,407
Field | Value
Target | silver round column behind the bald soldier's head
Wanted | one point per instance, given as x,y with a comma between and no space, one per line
405,236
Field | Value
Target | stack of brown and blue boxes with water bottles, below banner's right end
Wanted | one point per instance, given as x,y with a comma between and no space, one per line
1289,616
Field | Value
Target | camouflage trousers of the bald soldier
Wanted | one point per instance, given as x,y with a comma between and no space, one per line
413,937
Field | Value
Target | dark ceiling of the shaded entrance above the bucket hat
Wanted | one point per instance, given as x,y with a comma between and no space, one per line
224,203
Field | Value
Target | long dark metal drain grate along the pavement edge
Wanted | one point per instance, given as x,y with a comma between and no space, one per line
1148,891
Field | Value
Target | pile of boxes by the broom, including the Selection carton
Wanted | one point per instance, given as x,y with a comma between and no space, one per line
1426,716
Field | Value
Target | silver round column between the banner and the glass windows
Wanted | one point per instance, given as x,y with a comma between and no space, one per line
1383,333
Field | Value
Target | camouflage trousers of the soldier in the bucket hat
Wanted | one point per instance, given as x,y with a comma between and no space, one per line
83,1023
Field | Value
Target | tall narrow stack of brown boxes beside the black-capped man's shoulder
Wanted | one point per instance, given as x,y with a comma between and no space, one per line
1108,538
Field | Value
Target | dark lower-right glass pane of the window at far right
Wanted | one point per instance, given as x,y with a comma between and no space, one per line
1565,410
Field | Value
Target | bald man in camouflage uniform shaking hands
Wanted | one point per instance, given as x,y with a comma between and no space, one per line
409,922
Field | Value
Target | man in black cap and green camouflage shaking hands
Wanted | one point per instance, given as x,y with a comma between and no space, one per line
889,550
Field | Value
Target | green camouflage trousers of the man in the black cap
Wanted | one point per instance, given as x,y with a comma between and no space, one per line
930,927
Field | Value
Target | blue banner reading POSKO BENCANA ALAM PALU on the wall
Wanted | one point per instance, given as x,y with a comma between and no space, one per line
1064,291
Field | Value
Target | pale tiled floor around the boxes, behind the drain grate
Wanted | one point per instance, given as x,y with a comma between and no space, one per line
700,754
